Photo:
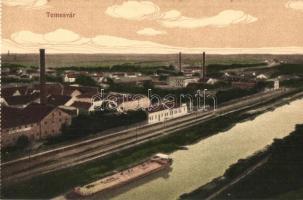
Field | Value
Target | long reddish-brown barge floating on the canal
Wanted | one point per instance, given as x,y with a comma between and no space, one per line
152,165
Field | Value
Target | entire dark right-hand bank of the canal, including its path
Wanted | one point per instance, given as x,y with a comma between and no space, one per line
278,177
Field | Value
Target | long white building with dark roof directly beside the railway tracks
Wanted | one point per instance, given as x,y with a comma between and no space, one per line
163,113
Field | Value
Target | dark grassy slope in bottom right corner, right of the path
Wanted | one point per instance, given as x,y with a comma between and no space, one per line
281,174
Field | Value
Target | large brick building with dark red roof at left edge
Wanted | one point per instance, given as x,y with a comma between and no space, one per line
36,121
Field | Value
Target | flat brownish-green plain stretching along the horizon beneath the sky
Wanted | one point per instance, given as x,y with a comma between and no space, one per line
144,60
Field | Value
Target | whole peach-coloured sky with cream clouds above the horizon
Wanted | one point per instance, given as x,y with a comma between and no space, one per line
158,26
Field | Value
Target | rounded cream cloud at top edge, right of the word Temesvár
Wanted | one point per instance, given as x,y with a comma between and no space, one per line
134,10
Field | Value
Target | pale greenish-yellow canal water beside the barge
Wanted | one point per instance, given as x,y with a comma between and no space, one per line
210,157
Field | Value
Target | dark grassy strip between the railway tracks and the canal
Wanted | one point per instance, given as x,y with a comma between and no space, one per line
64,180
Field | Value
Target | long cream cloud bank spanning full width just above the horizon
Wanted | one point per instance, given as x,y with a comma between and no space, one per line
66,41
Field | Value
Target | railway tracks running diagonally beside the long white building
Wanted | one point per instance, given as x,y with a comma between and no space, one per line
81,152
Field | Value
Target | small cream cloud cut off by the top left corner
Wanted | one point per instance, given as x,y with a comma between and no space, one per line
35,4
